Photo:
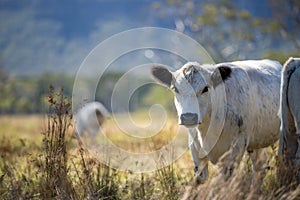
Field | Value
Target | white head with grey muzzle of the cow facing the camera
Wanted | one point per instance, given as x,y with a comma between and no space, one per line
192,85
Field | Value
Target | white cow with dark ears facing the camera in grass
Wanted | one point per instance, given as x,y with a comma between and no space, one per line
228,109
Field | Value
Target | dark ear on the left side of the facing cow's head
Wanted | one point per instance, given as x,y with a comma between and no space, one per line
163,75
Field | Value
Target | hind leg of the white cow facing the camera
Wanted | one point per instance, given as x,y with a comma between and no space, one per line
258,158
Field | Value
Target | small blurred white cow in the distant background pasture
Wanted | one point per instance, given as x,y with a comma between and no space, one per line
89,119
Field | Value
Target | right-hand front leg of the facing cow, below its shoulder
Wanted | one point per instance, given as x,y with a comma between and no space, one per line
233,157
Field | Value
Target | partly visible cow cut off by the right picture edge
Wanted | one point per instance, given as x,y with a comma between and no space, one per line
289,112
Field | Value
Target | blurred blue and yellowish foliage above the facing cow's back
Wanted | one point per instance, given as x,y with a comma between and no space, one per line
229,32
